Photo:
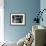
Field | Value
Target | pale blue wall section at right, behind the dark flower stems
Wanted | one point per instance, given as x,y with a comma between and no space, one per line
43,6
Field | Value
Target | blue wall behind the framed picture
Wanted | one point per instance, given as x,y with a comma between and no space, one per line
29,7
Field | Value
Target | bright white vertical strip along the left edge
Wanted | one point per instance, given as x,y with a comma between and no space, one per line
1,21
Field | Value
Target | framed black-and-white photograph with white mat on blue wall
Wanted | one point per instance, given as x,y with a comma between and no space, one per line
18,19
